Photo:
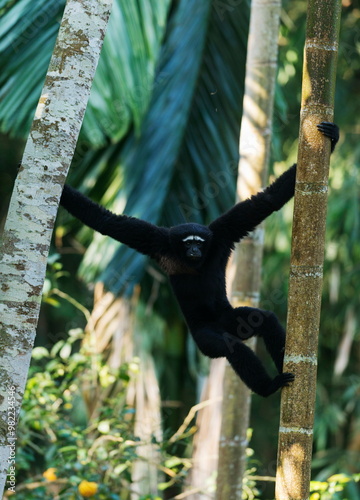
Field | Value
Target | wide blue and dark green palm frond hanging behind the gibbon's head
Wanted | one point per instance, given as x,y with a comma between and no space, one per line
184,164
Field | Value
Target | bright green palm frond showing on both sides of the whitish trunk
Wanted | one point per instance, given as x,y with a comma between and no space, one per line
123,81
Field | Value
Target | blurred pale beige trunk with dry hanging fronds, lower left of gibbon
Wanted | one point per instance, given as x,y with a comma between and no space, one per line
112,328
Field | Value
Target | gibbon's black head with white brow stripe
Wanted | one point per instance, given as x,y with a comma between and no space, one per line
190,243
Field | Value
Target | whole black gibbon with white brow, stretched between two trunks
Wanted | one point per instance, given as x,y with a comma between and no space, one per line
195,258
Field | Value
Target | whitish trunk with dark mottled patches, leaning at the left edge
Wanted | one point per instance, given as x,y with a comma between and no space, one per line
33,207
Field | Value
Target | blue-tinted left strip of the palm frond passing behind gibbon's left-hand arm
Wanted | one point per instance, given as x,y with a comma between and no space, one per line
150,159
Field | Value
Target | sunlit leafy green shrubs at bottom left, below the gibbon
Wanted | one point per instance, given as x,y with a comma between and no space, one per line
55,432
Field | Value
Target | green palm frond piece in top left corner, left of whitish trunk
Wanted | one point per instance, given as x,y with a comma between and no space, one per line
27,37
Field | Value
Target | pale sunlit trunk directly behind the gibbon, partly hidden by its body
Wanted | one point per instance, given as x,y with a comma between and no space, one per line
244,273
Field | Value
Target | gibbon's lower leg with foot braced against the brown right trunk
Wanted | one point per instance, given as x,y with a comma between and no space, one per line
243,360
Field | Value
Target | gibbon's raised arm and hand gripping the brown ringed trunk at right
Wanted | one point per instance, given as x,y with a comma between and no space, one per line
246,215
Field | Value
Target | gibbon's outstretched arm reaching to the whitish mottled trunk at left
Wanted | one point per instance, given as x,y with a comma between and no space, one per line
142,236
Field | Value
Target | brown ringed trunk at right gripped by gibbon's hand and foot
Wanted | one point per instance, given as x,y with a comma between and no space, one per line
307,255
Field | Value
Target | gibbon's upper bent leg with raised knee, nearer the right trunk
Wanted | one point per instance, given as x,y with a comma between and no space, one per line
251,321
